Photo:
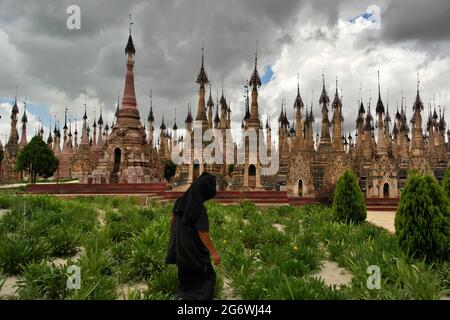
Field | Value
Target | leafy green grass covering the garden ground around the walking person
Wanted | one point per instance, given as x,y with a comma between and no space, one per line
259,261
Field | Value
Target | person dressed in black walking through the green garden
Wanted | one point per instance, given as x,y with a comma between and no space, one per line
190,246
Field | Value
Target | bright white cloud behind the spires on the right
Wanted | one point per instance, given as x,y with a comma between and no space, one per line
343,52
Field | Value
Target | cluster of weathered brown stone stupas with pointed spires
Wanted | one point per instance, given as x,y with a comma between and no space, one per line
382,151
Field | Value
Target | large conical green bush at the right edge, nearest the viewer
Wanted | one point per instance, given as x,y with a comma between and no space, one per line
422,222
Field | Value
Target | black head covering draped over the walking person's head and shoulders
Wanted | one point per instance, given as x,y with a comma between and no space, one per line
190,205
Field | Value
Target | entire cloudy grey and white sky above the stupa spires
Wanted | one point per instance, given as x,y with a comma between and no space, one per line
56,67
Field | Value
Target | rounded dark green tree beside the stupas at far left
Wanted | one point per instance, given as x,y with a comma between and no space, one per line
37,159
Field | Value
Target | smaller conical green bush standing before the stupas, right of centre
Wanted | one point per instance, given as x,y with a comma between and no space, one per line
348,202
